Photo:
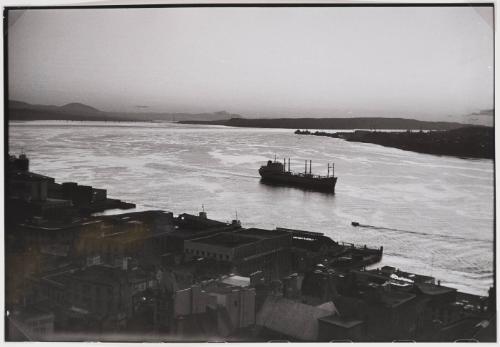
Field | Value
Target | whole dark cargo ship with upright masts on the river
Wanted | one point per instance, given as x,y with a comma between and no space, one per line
276,173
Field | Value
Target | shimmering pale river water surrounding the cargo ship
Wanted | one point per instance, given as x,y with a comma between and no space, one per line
433,215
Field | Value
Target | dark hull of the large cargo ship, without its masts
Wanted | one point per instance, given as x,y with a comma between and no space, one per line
323,184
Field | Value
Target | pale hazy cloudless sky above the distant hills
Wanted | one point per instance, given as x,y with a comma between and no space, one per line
428,63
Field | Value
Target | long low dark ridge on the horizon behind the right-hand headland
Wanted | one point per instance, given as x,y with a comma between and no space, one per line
334,123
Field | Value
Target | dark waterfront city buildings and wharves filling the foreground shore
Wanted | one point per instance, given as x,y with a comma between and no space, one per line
154,276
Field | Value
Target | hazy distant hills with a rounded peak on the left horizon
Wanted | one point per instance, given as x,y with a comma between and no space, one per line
19,110
